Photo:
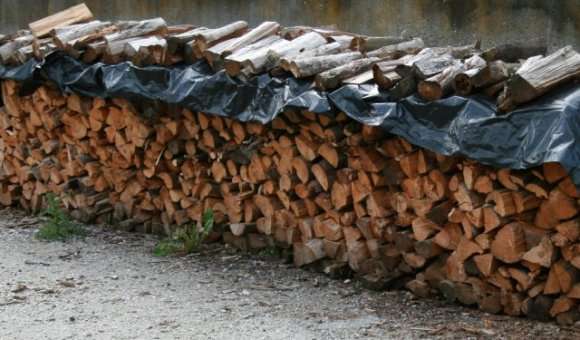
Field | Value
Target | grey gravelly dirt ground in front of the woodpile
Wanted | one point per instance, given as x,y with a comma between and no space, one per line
109,286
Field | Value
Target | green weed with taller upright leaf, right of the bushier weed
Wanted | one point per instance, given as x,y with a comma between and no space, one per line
187,240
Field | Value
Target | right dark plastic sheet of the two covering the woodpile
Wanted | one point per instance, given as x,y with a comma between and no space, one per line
545,131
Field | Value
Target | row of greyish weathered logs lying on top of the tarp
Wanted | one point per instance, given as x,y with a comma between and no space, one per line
515,74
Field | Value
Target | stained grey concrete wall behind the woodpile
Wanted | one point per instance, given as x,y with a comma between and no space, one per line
437,21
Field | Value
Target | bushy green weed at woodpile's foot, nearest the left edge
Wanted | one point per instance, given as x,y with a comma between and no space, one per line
59,226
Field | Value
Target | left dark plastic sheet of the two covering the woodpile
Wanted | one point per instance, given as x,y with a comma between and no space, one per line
194,86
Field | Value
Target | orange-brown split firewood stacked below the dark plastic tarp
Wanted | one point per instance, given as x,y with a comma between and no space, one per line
339,195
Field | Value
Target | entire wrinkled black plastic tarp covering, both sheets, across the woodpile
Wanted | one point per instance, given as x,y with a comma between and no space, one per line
543,131
